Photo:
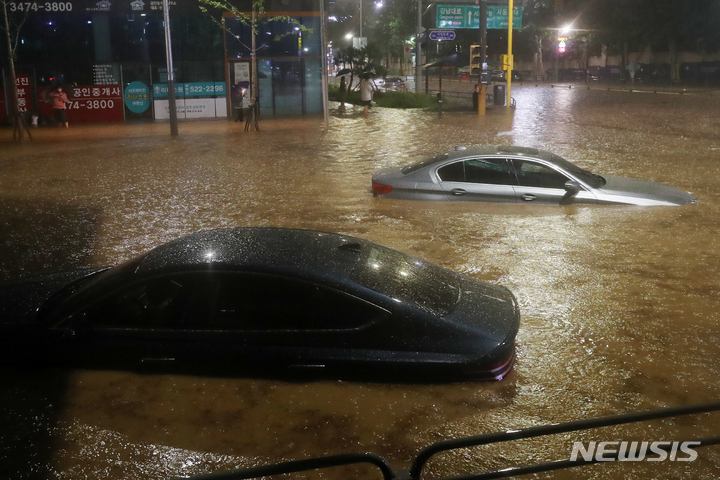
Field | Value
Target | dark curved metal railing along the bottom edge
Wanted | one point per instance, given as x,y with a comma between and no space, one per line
492,438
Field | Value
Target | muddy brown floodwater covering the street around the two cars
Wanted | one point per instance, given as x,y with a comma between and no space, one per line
620,305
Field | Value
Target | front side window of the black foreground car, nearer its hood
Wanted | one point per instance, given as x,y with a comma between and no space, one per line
162,302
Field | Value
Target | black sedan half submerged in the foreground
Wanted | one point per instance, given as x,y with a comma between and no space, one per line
244,298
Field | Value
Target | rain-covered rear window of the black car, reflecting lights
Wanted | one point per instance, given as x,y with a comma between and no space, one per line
408,280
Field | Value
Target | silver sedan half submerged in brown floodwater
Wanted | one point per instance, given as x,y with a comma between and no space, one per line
516,174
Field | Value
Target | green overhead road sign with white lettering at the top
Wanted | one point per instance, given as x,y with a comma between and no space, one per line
468,16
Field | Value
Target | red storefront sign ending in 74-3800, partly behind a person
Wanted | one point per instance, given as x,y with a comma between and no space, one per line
90,103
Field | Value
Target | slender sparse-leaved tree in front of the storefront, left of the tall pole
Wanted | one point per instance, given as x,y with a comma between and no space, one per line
256,18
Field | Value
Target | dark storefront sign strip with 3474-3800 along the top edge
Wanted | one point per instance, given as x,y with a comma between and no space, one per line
187,7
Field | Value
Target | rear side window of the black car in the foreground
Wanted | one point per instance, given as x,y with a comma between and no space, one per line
269,302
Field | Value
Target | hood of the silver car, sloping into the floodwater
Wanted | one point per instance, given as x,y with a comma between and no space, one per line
643,192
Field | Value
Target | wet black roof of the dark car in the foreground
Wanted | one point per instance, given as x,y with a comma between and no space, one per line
262,248
